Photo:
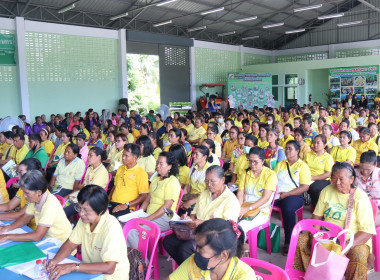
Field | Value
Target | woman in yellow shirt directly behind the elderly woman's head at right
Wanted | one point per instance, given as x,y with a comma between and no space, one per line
344,152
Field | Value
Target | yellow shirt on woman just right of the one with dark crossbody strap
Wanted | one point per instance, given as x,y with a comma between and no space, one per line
319,164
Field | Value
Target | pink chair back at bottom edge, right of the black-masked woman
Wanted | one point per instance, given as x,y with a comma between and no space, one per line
276,273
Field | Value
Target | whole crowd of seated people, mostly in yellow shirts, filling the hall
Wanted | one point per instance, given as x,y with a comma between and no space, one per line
227,167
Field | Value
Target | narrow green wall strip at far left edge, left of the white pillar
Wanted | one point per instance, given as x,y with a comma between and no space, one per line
9,91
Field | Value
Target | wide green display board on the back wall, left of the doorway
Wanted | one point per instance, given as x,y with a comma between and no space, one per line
250,89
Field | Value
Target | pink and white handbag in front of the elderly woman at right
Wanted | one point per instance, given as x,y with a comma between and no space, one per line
325,262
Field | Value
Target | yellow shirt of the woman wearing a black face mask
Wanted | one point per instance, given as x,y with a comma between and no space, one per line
236,270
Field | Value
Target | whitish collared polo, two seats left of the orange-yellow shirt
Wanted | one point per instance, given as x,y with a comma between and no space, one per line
68,174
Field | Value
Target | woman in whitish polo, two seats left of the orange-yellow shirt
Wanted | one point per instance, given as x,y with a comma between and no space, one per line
68,173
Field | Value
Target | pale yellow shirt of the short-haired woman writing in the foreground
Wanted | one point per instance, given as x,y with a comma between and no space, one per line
106,243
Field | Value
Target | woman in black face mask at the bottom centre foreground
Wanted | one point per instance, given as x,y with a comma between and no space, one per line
219,247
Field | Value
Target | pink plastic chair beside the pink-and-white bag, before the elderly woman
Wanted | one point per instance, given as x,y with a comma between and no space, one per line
308,225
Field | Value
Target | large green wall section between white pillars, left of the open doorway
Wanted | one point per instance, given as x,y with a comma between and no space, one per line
71,73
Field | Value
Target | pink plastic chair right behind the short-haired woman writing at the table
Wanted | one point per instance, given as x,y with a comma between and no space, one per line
148,241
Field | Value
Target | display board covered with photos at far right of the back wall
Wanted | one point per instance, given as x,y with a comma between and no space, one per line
354,80
